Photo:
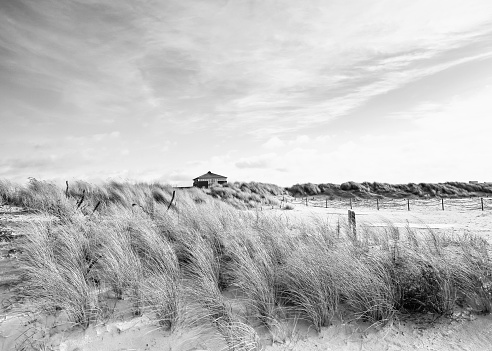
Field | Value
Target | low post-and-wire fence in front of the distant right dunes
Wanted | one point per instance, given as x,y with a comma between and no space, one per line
442,204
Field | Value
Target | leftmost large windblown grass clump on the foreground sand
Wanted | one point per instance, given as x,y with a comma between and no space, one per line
57,271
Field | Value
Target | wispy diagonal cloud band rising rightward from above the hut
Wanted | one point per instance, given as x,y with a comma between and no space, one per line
369,79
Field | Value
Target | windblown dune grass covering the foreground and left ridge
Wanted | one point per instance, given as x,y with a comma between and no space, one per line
191,260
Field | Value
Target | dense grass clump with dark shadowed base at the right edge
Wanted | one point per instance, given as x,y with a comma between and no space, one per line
431,273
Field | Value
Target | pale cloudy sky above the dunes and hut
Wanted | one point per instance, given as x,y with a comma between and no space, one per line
274,91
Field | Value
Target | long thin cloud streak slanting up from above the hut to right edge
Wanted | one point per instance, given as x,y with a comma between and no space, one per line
373,81
